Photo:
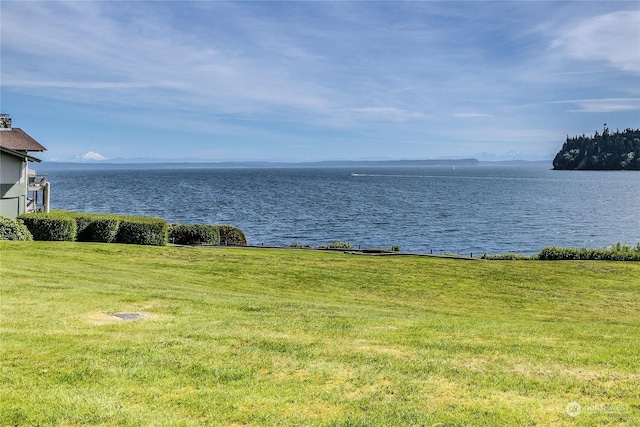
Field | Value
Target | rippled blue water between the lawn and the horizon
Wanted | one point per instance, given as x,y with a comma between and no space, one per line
475,209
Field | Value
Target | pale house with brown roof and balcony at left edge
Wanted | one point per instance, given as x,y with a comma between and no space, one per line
20,187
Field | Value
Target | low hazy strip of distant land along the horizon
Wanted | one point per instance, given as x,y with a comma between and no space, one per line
106,165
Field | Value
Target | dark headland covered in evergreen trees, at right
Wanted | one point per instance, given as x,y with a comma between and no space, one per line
606,151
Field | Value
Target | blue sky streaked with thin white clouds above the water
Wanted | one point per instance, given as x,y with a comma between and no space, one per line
304,81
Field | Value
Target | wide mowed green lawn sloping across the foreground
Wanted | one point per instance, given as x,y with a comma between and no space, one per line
240,336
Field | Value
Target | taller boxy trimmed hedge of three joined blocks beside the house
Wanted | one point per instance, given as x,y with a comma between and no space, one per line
83,227
